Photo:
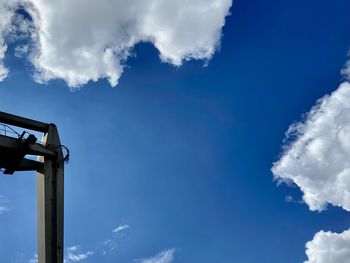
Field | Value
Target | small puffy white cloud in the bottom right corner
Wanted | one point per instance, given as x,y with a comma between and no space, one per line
328,247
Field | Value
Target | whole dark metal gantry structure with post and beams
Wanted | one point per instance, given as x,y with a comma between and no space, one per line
49,166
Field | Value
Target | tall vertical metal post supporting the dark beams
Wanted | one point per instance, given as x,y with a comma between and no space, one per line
50,189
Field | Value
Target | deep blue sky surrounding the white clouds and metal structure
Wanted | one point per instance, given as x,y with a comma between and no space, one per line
181,156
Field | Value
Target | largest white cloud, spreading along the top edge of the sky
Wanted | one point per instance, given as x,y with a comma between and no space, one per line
79,41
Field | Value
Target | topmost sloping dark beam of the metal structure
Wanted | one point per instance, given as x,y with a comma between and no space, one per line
18,121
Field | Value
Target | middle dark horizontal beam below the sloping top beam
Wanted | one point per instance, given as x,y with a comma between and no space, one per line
32,149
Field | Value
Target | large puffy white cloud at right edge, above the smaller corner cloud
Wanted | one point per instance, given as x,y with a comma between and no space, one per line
318,159
